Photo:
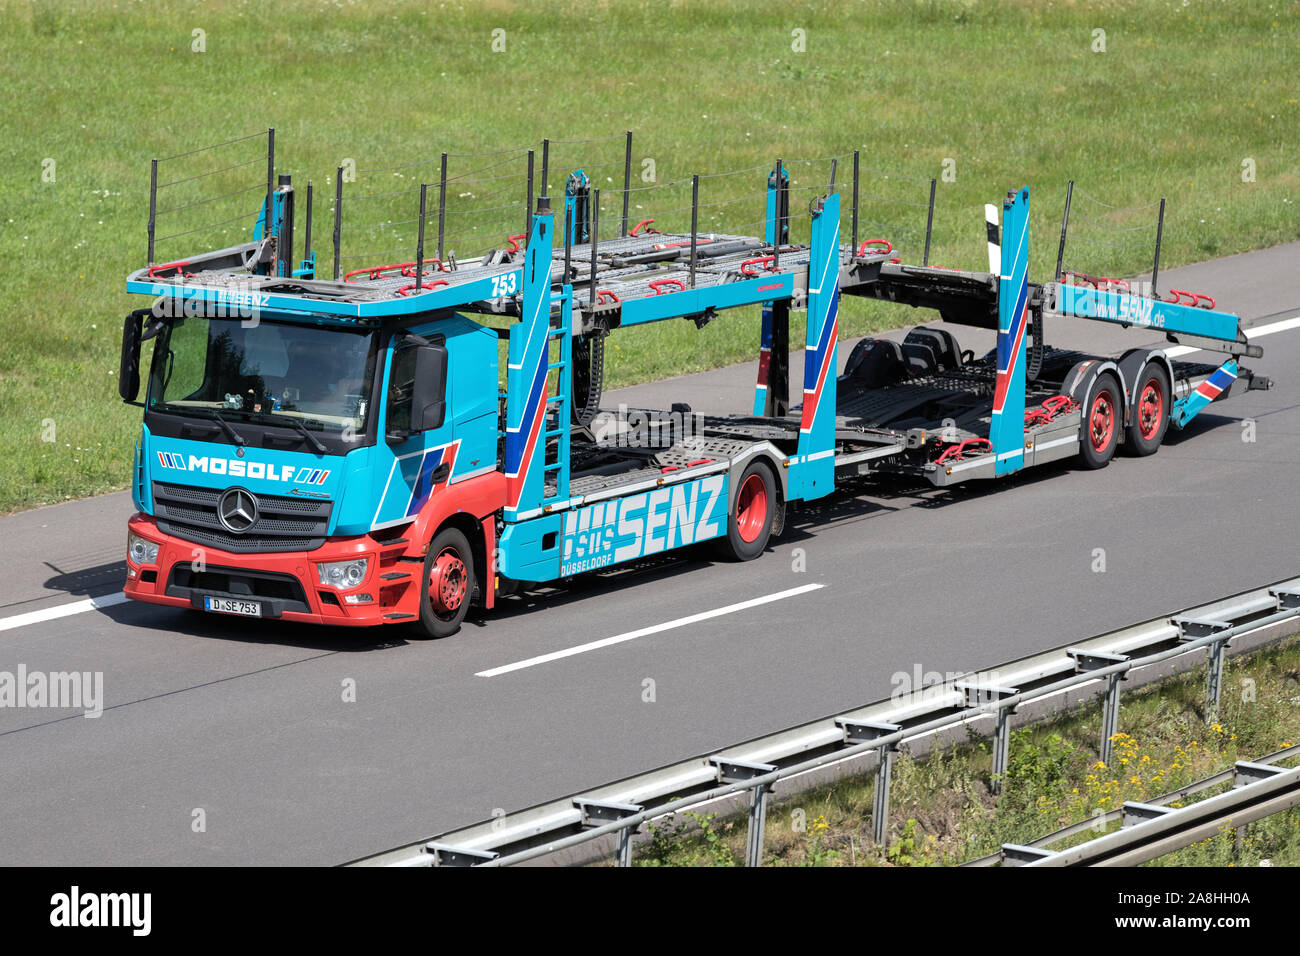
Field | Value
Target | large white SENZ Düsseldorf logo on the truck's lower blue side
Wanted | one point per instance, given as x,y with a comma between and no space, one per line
643,525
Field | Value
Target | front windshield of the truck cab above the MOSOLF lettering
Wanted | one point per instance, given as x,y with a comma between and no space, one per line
304,375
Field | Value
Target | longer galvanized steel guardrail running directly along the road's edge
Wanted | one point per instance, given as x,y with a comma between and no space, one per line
756,767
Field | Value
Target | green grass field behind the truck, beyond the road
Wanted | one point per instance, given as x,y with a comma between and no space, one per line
1011,92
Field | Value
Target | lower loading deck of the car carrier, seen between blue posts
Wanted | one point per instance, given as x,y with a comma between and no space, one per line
933,426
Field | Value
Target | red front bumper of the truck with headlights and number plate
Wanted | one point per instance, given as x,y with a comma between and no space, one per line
289,587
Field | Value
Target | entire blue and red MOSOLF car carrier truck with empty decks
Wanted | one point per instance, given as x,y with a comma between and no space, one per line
341,451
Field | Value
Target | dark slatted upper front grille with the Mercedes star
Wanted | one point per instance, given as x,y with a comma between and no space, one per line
284,525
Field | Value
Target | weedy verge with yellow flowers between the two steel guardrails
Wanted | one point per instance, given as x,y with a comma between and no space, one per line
943,814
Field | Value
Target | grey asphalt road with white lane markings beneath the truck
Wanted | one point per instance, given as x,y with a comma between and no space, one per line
248,723
